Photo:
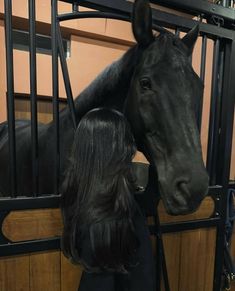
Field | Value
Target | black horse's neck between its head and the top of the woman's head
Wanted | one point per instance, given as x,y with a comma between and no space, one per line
110,87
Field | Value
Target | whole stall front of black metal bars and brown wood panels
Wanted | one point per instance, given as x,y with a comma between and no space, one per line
31,226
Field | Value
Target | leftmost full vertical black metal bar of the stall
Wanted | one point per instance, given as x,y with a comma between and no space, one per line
10,97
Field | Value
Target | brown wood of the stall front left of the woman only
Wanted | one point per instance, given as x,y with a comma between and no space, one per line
40,271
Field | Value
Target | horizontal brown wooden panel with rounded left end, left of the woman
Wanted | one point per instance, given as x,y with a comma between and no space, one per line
32,224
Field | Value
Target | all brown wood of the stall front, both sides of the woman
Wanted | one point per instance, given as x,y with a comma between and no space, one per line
189,255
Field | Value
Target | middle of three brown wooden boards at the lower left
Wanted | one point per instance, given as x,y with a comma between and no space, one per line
45,271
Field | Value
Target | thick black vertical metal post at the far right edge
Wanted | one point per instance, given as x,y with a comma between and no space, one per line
224,154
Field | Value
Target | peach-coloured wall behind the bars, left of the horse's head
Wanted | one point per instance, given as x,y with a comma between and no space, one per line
84,51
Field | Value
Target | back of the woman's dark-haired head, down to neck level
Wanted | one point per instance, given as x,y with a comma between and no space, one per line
103,140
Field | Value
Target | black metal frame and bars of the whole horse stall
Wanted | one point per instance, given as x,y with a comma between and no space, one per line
221,115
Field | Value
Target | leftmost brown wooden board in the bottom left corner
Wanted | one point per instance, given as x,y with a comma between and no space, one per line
14,274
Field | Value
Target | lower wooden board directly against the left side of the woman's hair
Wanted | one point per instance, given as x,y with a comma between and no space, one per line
70,275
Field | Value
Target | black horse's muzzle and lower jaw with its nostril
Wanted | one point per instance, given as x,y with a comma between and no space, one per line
182,178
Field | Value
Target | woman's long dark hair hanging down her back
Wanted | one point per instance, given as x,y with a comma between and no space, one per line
97,193
